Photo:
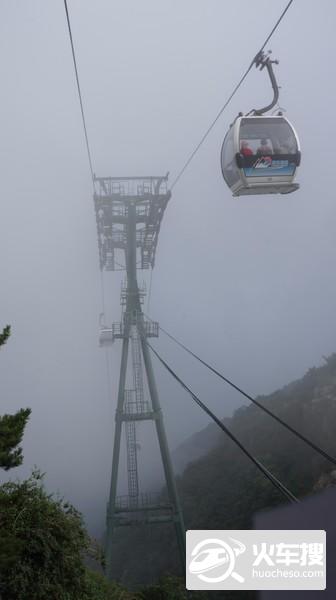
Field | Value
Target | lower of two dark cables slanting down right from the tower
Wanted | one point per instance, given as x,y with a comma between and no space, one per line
280,486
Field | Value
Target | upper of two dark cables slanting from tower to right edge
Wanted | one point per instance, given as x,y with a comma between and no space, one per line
251,399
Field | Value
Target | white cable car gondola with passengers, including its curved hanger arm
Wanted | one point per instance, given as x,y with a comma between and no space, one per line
261,153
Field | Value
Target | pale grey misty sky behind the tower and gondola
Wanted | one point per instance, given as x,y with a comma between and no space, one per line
246,282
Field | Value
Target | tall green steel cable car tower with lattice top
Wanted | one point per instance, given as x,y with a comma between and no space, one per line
129,212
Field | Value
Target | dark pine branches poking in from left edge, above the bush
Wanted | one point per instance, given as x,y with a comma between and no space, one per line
11,427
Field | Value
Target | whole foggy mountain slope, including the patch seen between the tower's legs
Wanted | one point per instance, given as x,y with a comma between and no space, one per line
223,490
